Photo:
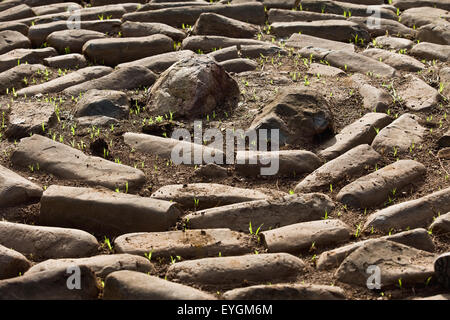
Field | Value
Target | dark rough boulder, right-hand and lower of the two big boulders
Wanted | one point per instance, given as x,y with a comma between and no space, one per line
299,114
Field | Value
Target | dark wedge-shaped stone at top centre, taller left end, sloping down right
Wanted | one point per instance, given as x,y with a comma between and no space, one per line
209,23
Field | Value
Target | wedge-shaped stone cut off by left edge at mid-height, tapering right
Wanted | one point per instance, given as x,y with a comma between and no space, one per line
16,190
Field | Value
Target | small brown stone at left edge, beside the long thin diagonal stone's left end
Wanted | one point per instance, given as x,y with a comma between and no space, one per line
14,77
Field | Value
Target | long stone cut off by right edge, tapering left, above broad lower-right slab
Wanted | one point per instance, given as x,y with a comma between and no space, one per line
413,213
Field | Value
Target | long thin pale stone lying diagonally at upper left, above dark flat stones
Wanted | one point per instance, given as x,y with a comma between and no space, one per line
69,80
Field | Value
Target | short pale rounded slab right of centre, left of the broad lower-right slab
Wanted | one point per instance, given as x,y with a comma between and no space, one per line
299,237
